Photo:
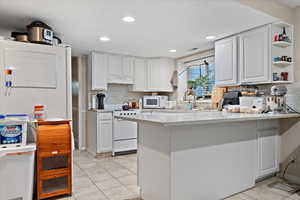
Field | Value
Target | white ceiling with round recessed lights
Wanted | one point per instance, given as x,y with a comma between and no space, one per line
160,24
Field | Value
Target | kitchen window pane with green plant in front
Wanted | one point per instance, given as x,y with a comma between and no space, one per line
201,79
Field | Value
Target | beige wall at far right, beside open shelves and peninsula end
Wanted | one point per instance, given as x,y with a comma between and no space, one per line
290,133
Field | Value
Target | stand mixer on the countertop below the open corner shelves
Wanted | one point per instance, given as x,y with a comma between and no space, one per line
276,102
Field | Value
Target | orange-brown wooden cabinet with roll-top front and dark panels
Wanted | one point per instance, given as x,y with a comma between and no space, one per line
54,159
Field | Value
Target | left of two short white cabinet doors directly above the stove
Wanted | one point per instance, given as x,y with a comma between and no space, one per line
115,71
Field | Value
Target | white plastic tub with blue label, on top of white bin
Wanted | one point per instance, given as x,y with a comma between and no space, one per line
13,131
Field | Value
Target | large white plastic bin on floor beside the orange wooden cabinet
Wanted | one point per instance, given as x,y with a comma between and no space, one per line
17,172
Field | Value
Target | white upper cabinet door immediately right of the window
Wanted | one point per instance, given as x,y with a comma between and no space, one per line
226,61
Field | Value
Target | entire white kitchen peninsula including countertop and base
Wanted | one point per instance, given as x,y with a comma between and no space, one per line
205,155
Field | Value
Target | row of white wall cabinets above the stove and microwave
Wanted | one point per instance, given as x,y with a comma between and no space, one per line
144,74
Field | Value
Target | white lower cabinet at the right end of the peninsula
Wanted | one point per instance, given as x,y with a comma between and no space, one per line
268,148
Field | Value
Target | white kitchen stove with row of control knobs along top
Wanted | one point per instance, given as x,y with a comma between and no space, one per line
124,134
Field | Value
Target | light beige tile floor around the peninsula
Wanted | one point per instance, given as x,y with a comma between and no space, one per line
115,178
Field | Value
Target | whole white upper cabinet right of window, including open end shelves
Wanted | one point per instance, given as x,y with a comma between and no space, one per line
257,57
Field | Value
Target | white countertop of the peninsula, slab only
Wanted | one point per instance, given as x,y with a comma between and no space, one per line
178,118
